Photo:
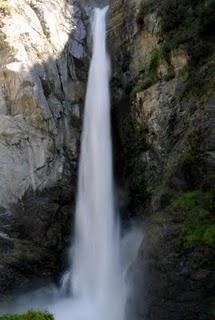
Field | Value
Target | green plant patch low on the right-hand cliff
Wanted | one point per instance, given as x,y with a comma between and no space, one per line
195,209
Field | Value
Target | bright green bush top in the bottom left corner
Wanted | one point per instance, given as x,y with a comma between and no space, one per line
29,315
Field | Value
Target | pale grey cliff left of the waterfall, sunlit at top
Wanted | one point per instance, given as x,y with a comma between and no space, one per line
42,82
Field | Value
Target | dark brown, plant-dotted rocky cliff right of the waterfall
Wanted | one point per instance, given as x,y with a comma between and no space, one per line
163,109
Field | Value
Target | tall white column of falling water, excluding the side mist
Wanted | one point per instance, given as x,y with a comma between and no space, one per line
97,278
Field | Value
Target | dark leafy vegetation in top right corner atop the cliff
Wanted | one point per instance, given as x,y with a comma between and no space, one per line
191,23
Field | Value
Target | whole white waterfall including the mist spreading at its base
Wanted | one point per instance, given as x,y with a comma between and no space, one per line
100,257
